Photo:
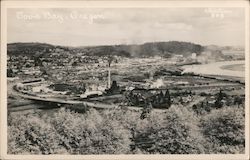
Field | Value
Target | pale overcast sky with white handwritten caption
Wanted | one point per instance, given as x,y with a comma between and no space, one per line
82,27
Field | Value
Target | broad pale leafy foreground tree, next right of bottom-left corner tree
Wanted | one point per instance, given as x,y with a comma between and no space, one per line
91,133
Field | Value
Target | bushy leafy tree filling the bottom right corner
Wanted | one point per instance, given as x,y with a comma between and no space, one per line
224,130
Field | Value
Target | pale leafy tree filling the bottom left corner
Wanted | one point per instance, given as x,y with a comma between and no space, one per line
31,134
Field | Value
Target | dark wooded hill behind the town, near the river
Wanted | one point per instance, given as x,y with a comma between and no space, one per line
148,49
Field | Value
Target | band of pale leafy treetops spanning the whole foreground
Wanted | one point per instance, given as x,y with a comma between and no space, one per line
121,131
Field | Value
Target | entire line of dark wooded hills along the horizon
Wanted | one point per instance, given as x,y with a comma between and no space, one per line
165,49
